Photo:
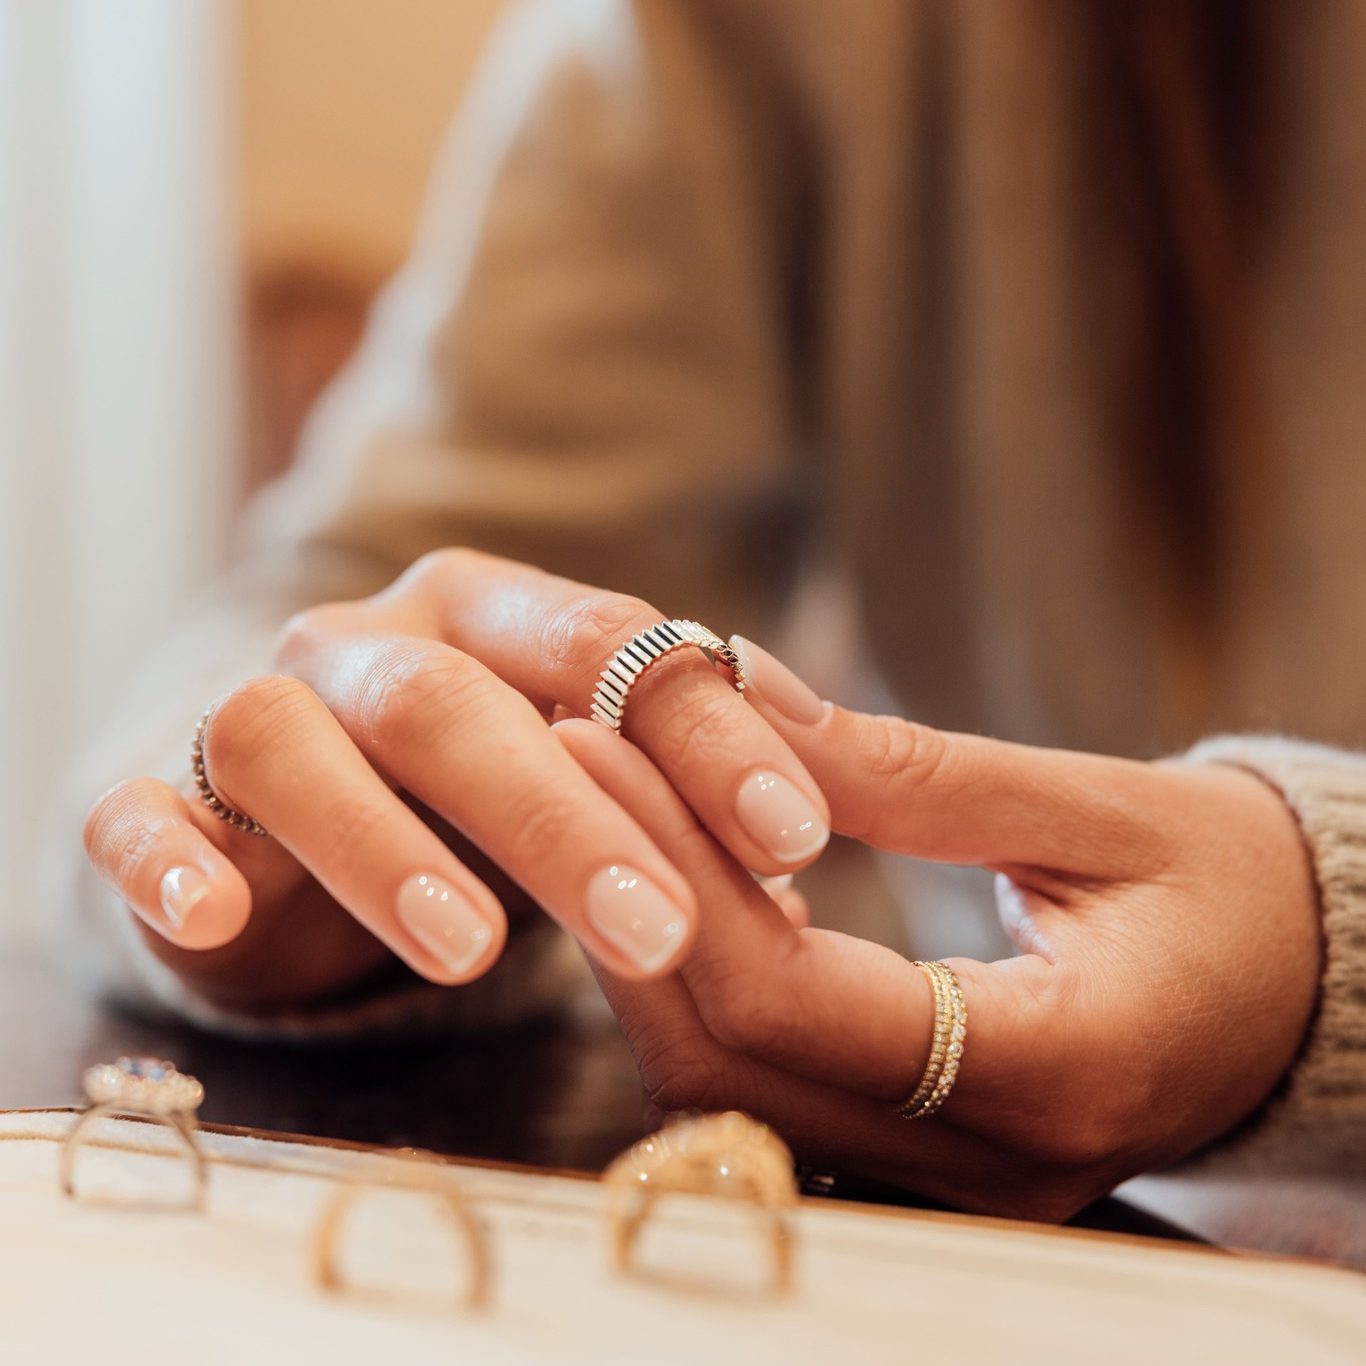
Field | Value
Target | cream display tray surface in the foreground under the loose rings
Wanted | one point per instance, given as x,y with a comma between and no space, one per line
236,1282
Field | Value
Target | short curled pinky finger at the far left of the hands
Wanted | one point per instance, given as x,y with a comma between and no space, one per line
143,841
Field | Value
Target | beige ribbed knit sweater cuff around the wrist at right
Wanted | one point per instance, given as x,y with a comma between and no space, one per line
1318,1118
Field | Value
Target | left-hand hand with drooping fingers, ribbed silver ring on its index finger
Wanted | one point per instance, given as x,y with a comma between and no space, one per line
397,722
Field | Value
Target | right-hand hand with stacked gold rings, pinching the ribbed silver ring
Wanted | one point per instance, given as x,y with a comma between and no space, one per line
1170,957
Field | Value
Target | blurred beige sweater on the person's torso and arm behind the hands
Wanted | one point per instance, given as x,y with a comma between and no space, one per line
714,293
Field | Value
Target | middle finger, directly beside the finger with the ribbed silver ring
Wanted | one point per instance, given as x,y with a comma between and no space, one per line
443,727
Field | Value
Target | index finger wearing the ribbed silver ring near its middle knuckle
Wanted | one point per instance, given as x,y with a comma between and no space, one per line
551,640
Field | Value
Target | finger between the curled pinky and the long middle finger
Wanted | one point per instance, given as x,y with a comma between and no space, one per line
275,752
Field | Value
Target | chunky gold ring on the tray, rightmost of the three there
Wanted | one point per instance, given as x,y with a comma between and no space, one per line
729,1156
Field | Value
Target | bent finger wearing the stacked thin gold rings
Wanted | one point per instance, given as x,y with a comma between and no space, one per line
822,1005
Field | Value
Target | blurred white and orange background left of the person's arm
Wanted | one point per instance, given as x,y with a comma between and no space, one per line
197,201
